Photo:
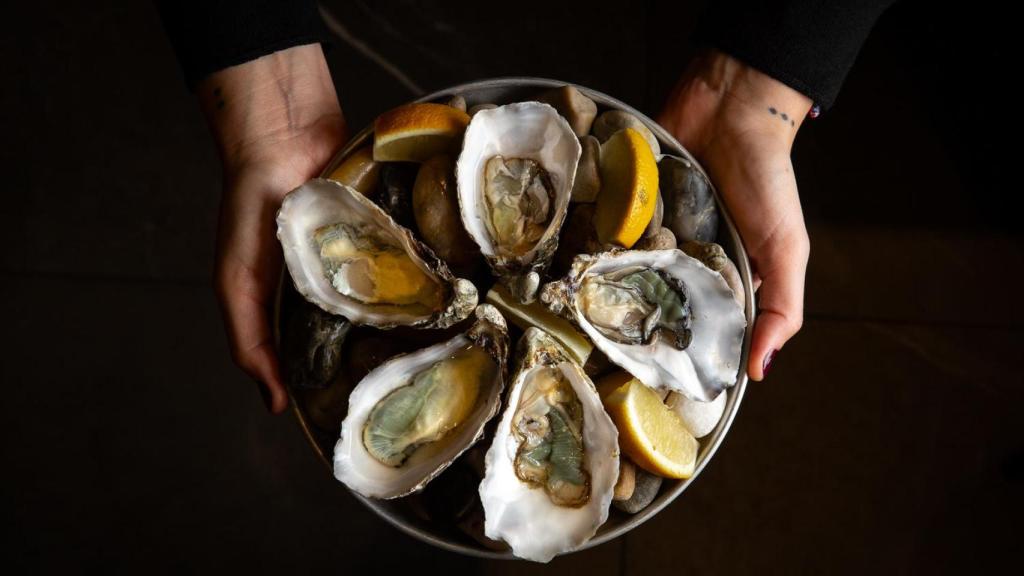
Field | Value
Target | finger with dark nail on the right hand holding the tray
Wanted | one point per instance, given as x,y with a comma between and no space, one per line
781,304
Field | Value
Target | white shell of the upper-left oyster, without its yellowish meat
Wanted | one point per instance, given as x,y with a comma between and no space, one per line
322,202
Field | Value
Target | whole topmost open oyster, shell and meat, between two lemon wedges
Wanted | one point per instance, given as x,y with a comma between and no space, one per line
516,177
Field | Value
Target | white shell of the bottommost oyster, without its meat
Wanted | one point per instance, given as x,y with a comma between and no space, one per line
525,516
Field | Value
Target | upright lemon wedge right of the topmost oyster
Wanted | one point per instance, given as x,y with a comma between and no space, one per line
629,189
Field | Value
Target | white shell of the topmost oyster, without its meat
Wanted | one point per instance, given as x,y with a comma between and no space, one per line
527,130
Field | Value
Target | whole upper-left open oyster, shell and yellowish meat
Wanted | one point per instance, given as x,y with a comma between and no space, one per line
351,259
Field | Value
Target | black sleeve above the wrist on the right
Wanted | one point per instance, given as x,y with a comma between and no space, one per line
809,46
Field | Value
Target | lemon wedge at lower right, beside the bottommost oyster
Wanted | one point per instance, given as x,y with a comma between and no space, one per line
650,433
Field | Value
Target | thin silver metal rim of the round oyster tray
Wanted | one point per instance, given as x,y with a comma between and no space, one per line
710,443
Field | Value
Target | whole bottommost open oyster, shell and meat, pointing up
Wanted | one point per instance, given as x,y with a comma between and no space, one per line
552,466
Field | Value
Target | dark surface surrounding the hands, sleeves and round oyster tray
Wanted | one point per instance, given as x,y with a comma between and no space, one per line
888,438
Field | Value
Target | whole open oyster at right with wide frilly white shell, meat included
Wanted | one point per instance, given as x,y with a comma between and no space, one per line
663,316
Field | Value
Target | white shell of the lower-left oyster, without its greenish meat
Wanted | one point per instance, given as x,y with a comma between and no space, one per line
361,472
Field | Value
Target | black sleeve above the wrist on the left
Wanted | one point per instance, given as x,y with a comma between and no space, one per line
211,36
